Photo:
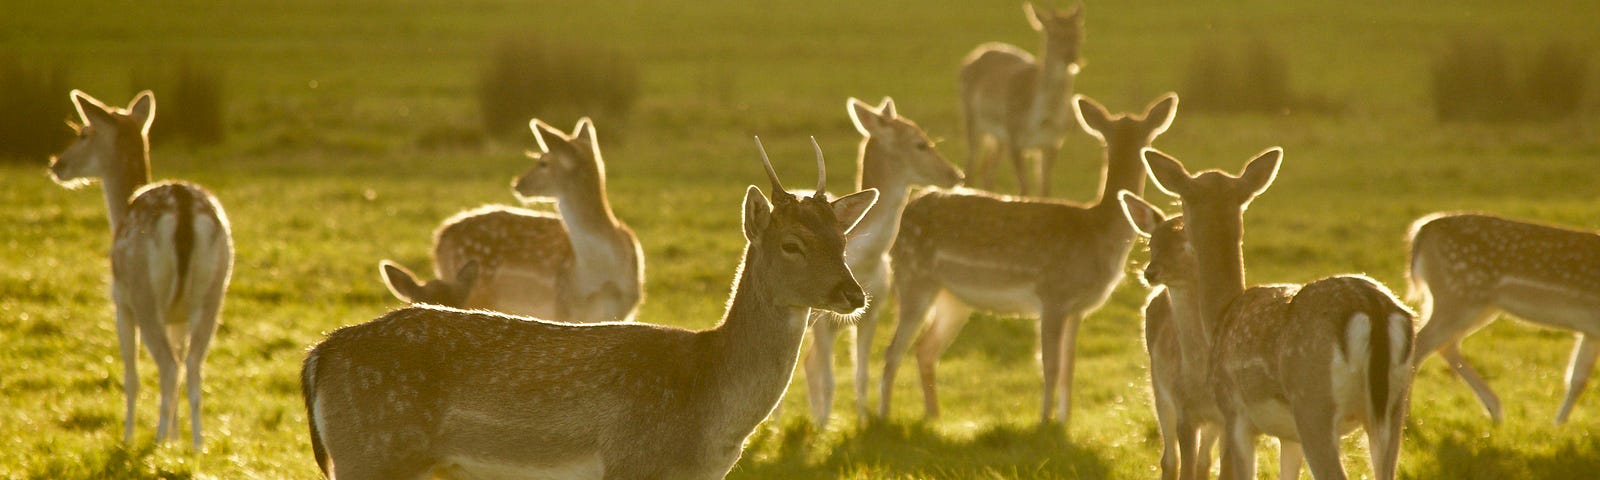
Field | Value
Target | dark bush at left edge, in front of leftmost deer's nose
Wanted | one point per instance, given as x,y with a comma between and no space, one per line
36,108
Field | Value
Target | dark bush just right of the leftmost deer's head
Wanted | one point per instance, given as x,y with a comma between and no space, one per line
188,103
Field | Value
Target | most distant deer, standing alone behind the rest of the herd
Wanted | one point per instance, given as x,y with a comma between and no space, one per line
1018,103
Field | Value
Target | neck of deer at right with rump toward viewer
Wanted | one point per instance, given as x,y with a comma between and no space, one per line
1220,258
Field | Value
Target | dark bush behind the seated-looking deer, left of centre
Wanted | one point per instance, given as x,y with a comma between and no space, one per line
558,82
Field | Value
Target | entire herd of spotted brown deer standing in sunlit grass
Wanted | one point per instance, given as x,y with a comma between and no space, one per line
460,386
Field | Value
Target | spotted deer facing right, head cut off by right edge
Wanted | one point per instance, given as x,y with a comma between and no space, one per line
1468,268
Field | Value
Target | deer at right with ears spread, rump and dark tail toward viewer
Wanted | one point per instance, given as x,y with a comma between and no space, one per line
1305,364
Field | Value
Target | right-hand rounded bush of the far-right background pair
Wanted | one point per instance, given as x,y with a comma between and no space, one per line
1556,82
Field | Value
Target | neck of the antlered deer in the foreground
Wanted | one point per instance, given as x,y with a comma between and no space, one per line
756,351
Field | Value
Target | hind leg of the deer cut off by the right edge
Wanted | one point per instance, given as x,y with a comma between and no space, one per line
1447,324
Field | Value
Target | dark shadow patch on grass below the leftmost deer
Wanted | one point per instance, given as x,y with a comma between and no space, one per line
114,462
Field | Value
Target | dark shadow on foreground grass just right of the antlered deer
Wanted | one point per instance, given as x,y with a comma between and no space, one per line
919,452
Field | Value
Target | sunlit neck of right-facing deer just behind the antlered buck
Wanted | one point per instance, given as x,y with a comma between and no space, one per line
878,228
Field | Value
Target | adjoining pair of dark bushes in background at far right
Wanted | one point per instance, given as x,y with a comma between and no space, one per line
1473,81
